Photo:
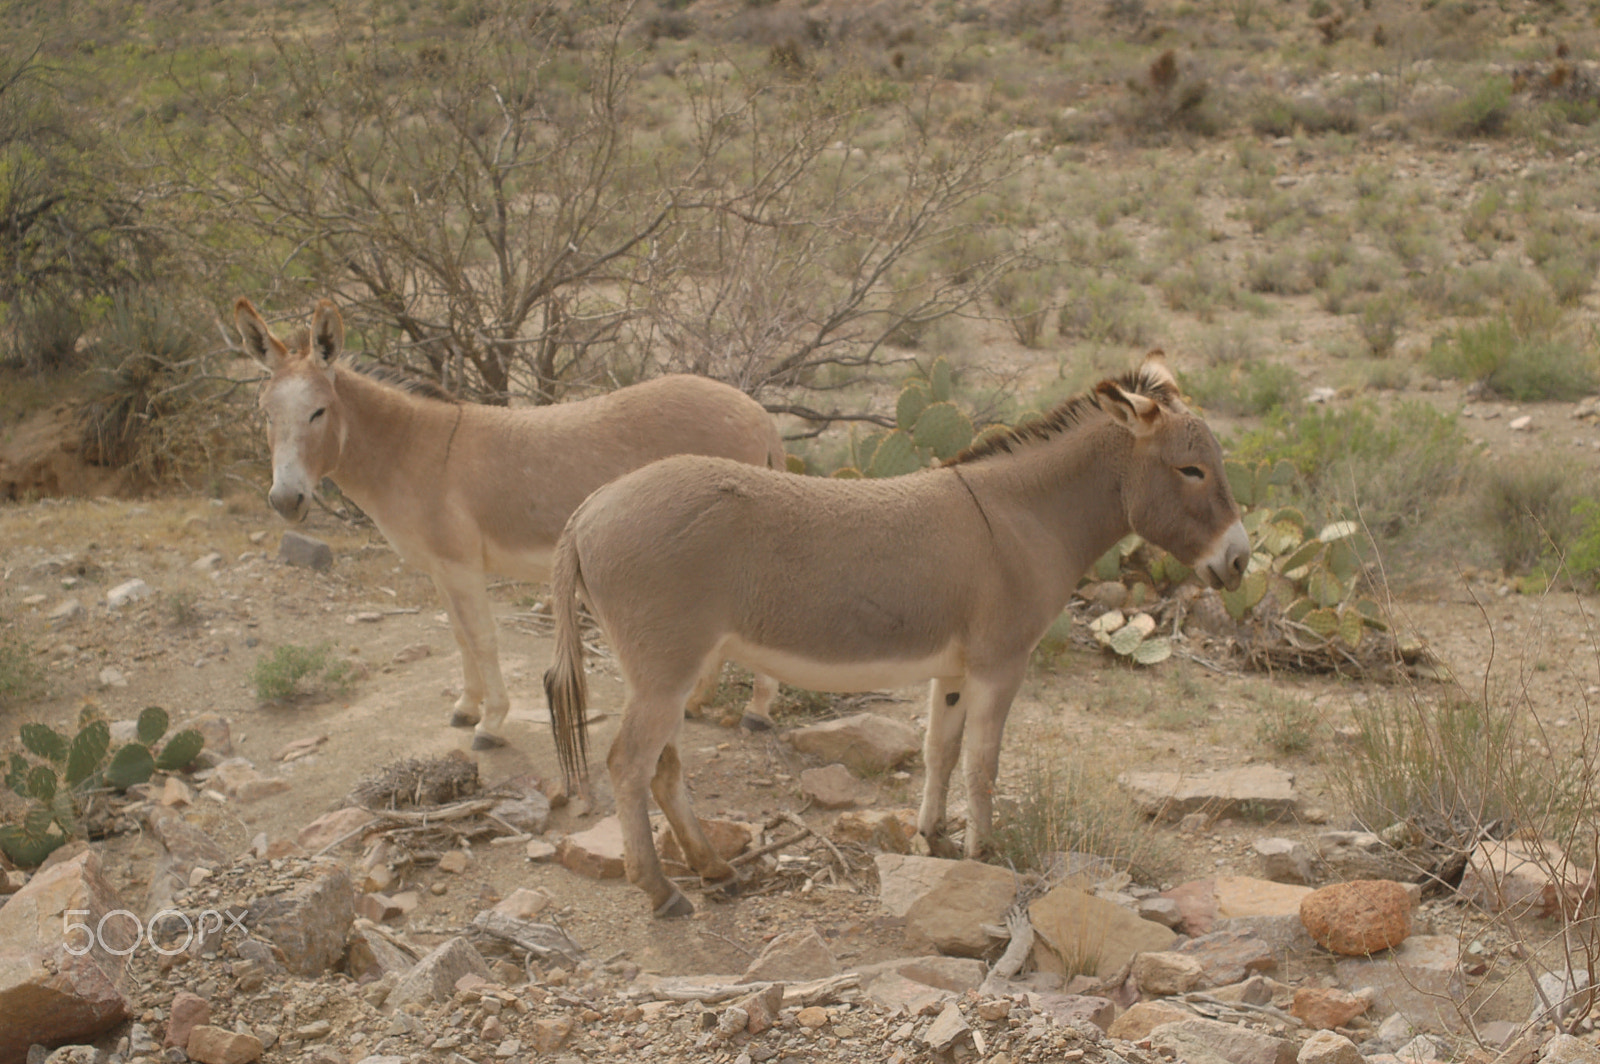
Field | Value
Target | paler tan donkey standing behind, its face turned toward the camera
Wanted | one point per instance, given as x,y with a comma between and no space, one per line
460,490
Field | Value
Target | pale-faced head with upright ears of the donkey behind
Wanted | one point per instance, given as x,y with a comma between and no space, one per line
303,410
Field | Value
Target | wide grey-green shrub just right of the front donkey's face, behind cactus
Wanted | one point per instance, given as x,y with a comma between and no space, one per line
1391,470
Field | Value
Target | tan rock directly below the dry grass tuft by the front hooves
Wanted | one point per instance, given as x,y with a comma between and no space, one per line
1078,932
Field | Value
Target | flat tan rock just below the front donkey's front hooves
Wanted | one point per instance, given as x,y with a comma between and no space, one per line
945,903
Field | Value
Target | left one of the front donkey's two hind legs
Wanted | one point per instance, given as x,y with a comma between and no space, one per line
649,727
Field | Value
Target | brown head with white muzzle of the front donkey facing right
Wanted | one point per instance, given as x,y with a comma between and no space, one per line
1174,489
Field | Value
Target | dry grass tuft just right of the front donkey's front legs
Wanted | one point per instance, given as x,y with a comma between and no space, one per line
1066,804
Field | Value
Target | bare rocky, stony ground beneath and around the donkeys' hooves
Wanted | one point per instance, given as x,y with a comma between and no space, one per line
377,892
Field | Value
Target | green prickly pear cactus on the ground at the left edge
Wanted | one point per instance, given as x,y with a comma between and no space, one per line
68,772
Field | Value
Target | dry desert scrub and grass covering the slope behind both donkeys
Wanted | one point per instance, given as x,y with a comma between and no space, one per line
1367,234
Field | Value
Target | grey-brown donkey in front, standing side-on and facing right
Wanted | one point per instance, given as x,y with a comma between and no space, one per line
951,575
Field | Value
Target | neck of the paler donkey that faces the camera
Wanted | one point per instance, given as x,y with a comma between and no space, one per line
388,436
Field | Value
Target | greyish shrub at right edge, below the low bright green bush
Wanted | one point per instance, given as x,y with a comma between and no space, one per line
1530,511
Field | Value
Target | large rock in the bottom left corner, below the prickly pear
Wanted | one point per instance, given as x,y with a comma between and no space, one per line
47,994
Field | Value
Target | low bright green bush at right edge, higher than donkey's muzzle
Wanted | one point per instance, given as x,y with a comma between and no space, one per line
1514,362
